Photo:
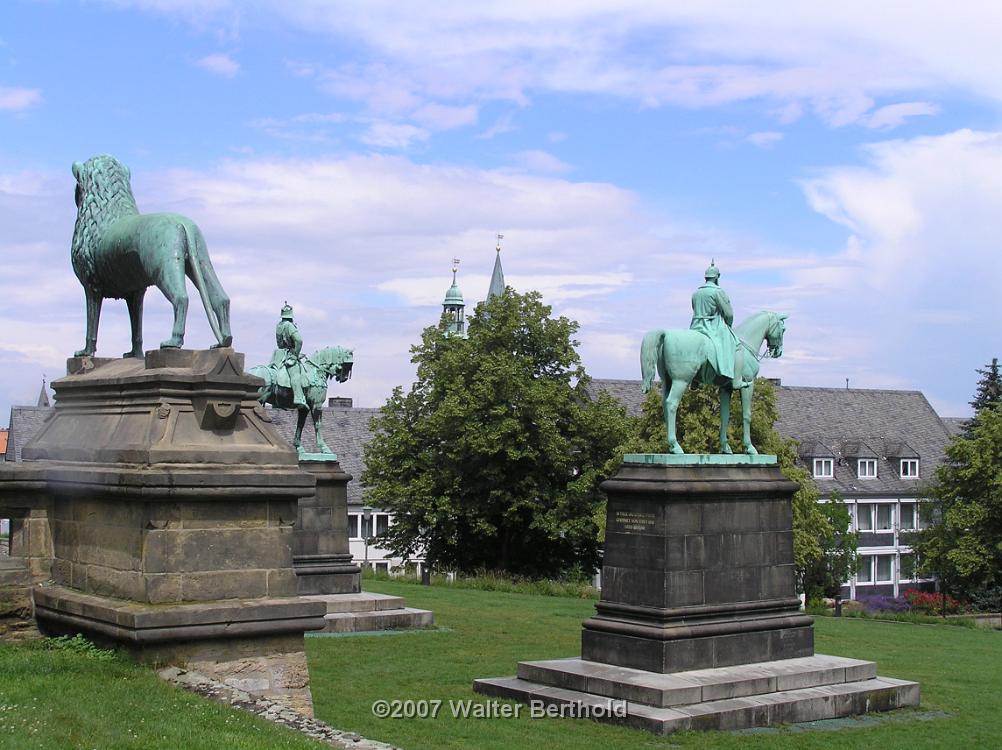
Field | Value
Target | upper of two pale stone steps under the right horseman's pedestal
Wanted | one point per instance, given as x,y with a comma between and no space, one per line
696,686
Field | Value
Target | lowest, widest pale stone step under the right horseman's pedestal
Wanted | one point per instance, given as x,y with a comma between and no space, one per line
765,709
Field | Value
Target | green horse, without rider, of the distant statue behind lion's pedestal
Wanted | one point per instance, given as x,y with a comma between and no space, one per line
319,369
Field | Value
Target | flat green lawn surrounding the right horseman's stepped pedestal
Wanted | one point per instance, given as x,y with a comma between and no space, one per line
487,633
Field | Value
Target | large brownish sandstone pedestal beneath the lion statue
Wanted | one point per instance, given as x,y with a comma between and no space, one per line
172,504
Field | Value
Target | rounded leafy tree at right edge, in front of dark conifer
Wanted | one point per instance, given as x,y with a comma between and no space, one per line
962,546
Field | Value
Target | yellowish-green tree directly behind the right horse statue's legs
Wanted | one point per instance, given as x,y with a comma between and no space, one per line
698,427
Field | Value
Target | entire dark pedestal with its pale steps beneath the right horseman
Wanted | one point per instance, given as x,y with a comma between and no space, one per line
699,626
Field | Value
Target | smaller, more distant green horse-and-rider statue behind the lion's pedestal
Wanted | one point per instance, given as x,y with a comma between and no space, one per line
295,381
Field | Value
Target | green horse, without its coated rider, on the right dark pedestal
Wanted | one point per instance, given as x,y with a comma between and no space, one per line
680,357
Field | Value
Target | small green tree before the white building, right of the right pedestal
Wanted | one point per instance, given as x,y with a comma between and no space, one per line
825,576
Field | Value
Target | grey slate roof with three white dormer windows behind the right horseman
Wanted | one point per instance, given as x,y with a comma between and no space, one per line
846,424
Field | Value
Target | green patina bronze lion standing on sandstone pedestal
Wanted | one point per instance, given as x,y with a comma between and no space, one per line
119,253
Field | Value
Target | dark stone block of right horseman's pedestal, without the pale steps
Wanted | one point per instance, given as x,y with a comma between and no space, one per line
699,570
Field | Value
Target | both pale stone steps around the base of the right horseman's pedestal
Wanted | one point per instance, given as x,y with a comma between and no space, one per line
782,692
